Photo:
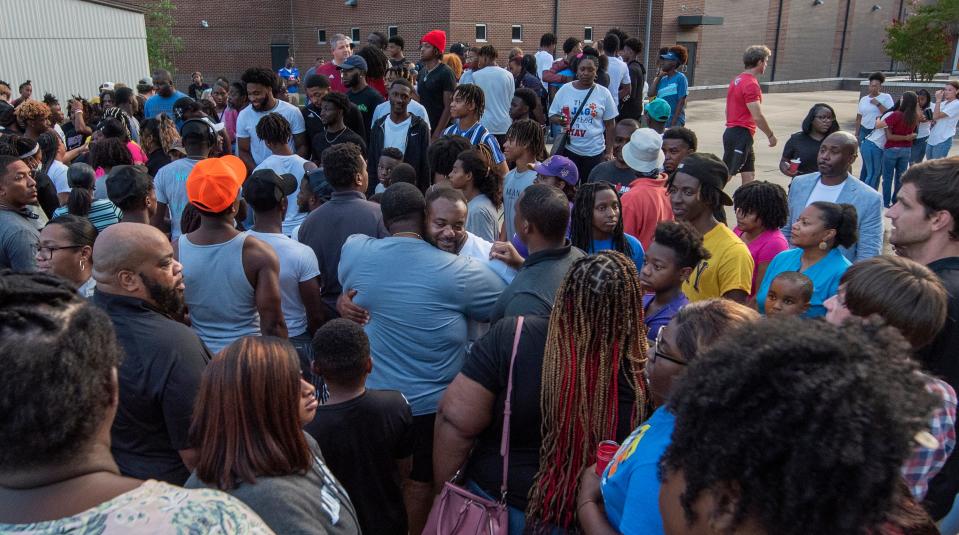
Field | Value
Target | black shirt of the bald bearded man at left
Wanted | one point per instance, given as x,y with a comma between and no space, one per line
159,380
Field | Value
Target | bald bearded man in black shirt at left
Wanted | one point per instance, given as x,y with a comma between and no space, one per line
140,286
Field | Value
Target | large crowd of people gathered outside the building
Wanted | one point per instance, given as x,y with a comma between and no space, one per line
335,303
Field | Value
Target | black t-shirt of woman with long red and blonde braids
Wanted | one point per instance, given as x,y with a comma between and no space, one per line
488,365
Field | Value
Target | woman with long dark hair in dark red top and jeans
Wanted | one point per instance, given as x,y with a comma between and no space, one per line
900,128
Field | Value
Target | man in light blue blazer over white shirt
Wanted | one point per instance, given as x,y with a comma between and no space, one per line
834,182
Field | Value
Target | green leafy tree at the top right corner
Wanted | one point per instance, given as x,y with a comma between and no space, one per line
921,42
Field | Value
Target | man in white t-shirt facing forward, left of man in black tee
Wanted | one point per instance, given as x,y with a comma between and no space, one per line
261,84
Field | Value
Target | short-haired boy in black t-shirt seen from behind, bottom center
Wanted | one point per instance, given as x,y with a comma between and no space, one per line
356,423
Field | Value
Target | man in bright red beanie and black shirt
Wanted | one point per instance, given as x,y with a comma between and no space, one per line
435,82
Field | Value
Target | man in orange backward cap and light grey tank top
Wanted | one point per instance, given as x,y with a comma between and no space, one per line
232,279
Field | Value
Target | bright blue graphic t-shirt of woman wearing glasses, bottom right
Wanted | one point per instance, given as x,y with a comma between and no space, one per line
630,483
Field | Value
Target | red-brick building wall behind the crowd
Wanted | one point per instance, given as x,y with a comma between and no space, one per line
240,33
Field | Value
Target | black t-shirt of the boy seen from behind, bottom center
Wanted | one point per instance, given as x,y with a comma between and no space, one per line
361,440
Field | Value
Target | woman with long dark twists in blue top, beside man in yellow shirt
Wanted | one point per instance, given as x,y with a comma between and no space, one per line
596,223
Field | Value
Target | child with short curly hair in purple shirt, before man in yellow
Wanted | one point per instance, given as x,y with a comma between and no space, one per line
675,251
